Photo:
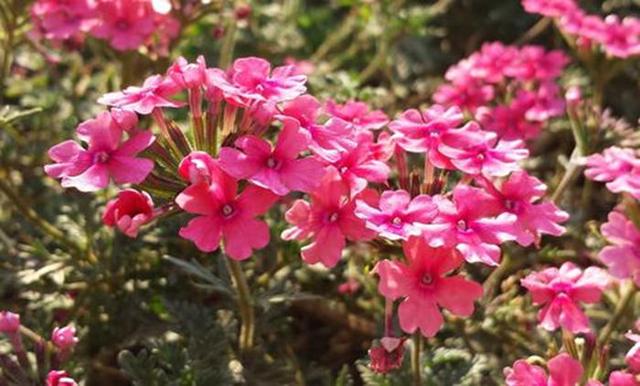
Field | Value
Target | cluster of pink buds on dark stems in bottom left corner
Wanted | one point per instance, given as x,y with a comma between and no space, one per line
50,355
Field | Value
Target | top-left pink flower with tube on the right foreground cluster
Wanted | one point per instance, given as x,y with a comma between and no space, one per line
422,133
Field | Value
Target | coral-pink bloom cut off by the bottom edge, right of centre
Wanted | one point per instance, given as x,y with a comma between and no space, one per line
564,370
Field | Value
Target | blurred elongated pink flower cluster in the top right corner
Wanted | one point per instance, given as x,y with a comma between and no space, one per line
616,37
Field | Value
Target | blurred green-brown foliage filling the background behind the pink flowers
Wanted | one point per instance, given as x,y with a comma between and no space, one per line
156,311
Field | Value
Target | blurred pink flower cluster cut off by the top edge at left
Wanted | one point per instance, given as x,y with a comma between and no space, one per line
125,24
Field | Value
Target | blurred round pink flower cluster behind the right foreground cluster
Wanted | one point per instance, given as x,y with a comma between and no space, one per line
511,91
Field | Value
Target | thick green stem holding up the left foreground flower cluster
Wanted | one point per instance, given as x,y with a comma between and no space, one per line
245,306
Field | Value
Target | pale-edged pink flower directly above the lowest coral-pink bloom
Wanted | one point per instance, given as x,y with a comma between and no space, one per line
399,215
